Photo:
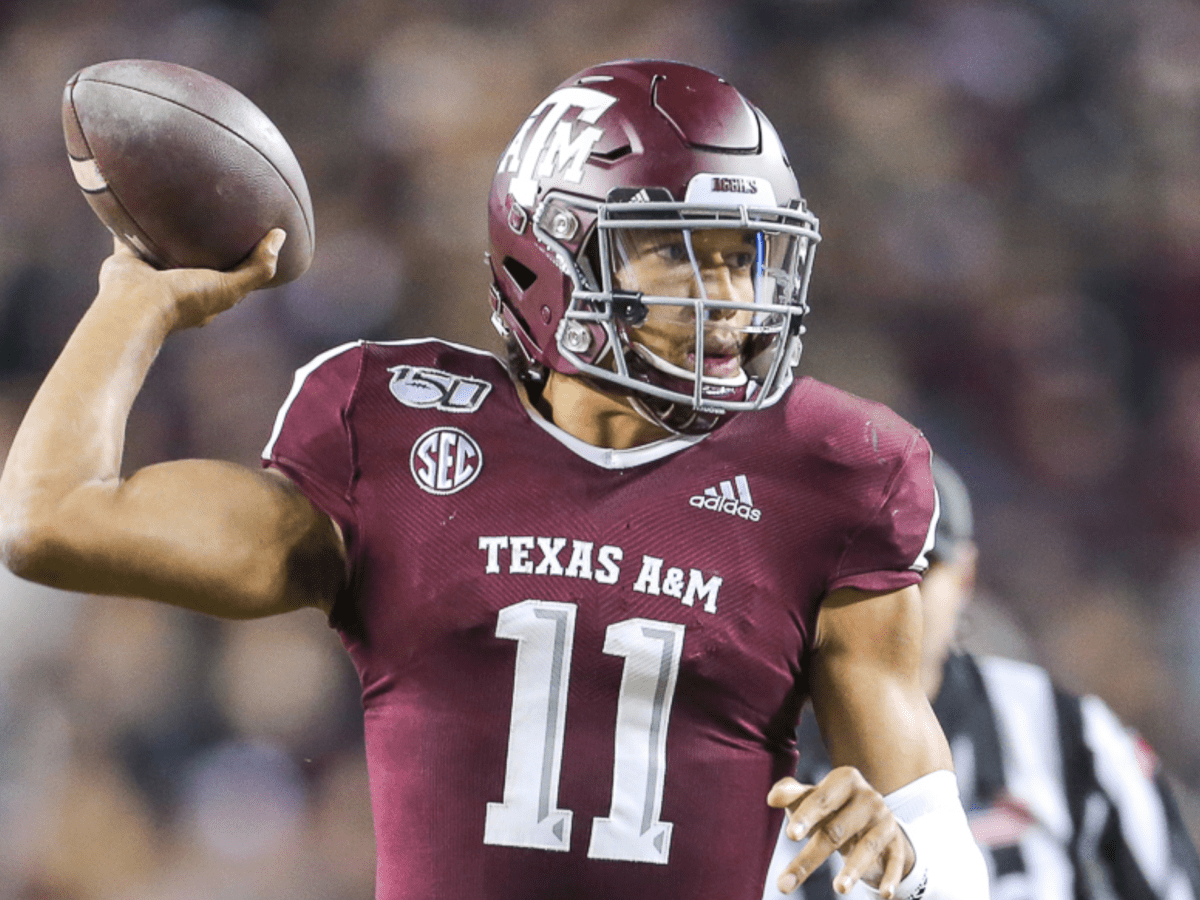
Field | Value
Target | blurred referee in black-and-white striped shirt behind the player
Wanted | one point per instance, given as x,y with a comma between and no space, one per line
1066,803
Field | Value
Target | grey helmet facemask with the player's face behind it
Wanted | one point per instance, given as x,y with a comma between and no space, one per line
693,310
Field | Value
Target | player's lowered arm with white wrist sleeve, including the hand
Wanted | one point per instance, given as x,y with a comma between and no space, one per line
891,805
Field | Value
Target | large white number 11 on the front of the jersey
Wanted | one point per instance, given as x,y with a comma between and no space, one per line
529,815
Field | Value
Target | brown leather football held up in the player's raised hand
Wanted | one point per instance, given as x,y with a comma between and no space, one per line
184,169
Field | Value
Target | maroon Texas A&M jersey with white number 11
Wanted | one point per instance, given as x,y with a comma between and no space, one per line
583,669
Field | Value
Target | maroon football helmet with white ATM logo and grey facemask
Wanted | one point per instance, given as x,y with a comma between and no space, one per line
641,207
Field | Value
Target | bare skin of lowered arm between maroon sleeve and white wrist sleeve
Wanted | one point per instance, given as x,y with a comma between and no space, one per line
867,692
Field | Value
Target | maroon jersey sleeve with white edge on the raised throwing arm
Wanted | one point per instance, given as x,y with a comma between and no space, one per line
313,441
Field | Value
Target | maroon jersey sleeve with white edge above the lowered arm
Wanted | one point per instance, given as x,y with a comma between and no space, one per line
890,550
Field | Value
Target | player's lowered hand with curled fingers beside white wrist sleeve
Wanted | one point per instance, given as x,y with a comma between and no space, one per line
844,814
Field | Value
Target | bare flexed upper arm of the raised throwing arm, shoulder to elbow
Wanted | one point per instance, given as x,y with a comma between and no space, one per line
208,536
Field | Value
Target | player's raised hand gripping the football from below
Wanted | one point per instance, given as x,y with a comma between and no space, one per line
189,297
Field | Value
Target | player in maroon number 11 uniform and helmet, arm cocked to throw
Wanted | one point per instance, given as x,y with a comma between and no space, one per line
587,589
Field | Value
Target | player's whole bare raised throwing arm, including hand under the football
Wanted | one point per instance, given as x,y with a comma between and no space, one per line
208,536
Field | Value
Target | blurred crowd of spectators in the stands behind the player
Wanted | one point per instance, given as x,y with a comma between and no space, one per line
1010,193
